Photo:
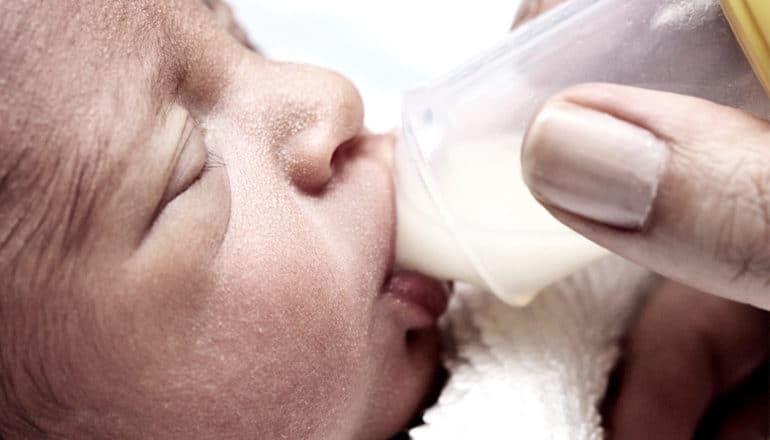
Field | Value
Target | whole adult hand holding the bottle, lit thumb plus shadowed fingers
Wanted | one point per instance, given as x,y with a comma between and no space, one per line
681,186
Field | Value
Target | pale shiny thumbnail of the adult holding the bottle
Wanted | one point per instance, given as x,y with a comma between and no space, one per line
594,165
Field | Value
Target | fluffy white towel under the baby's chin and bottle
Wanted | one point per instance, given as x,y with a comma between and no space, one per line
538,372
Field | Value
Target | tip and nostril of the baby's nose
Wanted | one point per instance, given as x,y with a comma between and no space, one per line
334,116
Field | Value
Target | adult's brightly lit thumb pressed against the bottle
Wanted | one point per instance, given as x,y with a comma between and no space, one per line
677,184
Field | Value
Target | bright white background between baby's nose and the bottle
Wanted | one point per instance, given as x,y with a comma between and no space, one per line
385,47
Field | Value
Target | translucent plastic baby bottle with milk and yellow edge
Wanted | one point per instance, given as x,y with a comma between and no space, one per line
464,212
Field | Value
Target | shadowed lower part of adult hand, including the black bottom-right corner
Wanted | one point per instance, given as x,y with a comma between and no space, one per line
693,366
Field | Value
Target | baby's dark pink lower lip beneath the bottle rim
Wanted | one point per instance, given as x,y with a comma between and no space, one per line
426,298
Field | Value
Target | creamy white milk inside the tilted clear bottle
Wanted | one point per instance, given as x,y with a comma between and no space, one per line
494,234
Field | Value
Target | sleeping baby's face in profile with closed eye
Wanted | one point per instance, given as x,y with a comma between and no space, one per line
196,241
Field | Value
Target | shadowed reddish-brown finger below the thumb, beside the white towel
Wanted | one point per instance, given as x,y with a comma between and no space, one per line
678,361
